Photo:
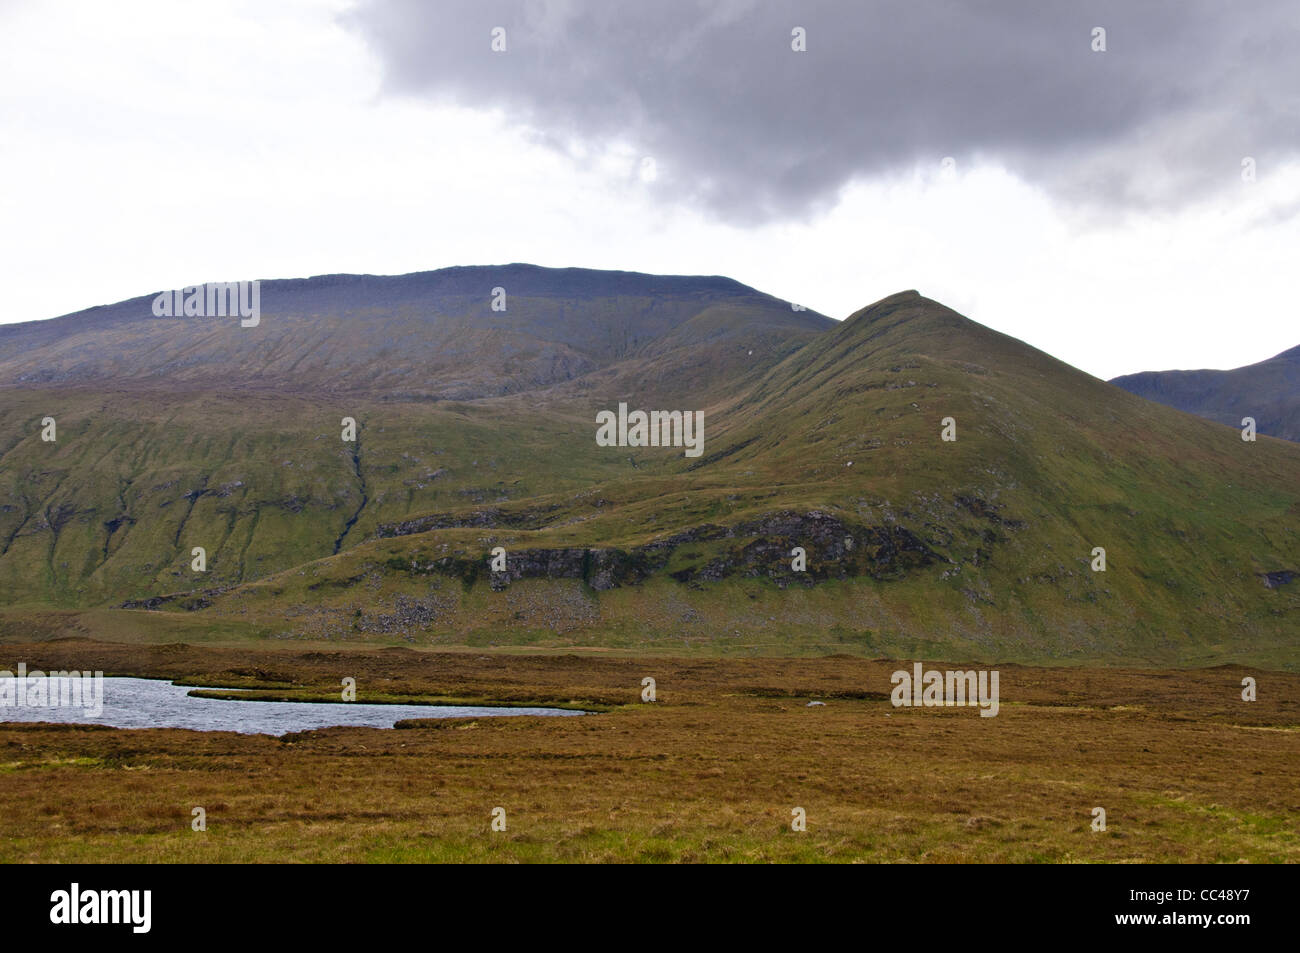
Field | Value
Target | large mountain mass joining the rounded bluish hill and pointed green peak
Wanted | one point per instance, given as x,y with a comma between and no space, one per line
818,435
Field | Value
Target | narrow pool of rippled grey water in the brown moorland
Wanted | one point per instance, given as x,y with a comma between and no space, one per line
153,704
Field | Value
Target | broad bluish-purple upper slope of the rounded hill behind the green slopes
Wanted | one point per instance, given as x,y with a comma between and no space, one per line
431,335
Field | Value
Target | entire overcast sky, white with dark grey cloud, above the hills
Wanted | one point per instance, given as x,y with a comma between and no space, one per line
1091,203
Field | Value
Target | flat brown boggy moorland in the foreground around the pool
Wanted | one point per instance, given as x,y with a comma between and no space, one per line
712,772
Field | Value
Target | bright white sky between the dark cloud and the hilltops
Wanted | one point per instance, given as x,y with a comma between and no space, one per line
239,141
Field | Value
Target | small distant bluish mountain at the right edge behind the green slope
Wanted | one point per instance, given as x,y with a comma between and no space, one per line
1268,392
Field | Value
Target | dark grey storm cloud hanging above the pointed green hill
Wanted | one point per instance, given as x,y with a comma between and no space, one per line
740,123
